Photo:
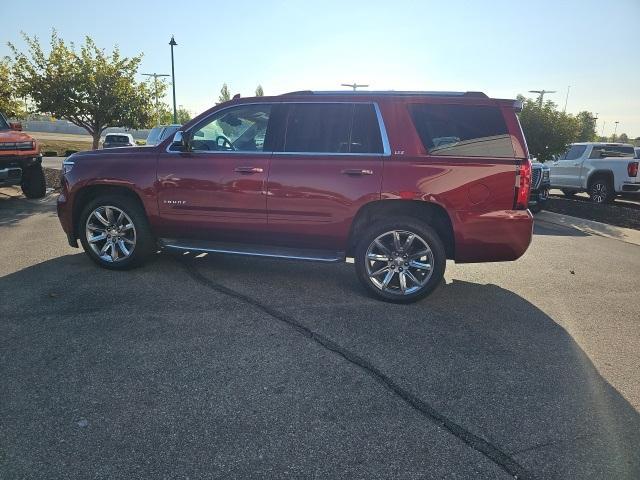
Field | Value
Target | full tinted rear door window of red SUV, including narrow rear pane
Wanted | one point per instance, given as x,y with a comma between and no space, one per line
332,128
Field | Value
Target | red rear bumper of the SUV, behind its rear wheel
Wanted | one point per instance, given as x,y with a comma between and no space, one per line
497,236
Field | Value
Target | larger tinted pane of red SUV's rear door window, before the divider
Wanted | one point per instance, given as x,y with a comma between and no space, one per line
318,128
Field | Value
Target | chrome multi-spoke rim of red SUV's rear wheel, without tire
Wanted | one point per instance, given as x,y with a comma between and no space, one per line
399,262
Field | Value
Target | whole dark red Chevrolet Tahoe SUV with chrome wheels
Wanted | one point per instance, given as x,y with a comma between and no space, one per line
400,181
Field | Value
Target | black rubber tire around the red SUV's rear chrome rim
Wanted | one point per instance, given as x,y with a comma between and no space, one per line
424,233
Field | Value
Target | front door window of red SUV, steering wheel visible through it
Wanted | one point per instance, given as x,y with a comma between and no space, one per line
237,129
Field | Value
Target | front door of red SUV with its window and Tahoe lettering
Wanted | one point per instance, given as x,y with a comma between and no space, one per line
217,190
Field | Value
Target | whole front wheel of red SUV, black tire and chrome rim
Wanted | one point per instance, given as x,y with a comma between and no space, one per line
115,233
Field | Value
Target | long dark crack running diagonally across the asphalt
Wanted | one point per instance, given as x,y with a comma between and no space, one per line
492,452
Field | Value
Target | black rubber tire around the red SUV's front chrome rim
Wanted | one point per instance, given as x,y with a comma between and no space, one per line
145,243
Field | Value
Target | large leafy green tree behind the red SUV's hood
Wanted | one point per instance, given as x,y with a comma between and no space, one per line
90,88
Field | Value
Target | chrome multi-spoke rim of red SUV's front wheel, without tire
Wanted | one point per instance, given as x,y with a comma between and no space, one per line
111,234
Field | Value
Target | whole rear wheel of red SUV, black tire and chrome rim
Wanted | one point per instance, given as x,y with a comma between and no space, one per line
400,261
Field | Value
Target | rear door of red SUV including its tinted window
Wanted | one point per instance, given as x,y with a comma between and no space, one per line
328,165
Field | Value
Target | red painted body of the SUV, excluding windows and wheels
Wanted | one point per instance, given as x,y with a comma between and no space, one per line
307,200
